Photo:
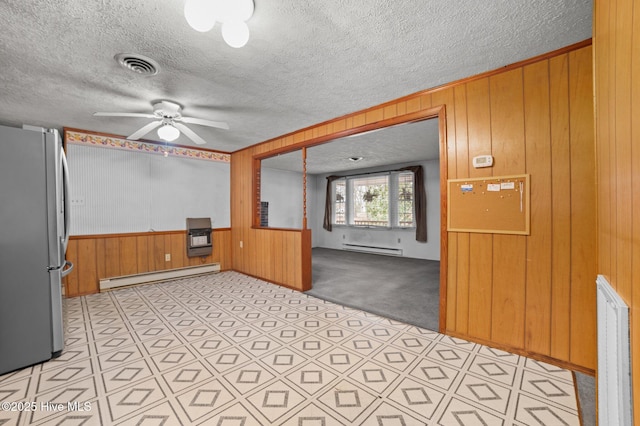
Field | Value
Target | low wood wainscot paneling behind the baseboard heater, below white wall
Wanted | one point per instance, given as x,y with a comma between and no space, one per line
102,256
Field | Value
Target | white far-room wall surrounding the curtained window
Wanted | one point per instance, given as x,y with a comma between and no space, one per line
394,238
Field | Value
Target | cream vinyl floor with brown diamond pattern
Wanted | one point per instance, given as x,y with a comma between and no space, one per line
231,350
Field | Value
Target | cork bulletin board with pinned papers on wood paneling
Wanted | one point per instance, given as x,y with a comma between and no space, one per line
496,205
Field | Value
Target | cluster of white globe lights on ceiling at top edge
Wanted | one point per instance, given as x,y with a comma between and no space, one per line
233,14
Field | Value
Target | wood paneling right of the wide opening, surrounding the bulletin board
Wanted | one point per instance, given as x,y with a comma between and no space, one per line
535,293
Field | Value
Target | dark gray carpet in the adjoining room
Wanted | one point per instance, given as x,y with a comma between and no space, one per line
399,288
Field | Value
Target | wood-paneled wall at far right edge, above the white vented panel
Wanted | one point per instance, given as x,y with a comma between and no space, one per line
616,40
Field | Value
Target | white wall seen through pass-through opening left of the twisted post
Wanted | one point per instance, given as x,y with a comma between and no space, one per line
283,190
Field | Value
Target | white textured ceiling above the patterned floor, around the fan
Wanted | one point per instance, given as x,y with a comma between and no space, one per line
306,62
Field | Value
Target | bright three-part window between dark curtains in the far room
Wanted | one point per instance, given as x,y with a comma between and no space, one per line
379,200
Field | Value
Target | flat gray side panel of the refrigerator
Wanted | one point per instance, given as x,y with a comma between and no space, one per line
25,286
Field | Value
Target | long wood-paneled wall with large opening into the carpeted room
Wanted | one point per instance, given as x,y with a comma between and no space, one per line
530,294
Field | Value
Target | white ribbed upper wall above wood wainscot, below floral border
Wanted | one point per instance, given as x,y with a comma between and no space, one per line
118,191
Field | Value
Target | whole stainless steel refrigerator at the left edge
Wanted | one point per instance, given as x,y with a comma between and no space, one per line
34,231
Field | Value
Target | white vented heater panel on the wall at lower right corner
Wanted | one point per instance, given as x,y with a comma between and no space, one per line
614,361
